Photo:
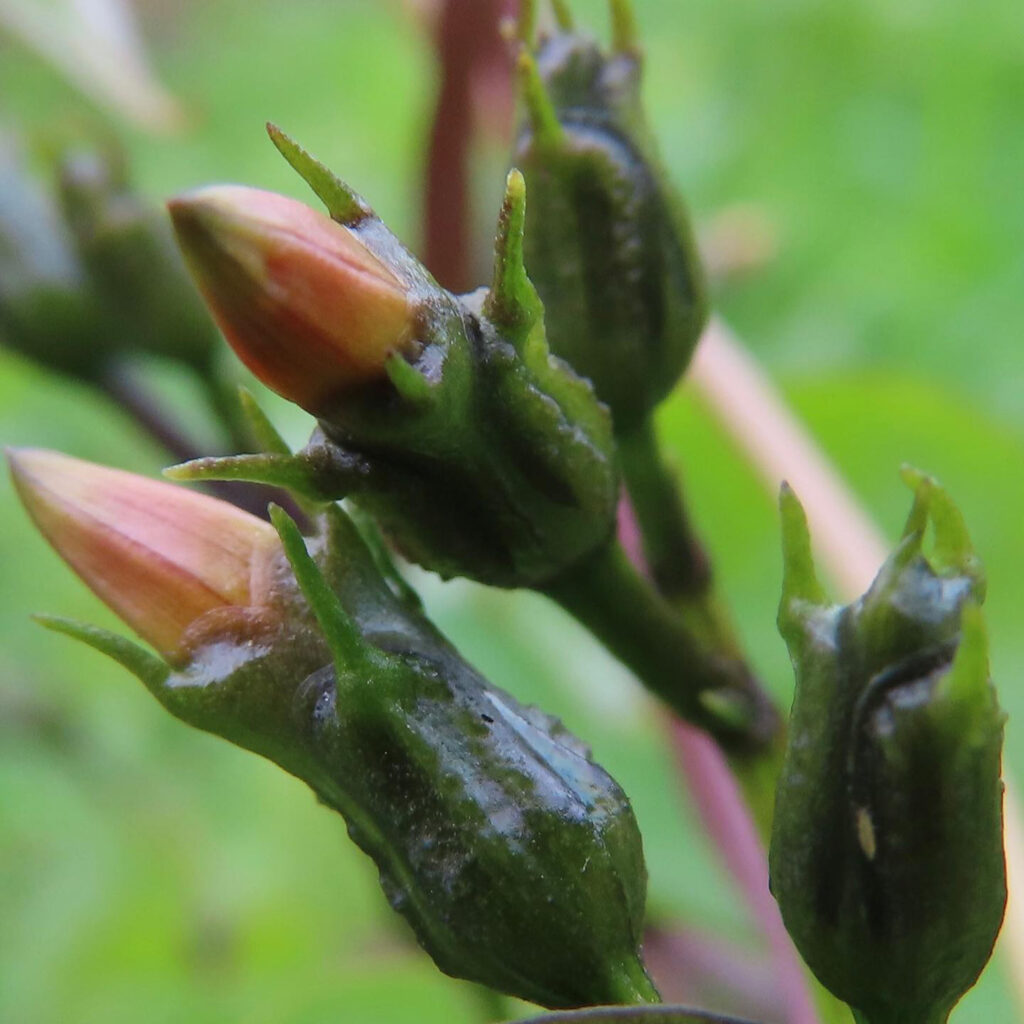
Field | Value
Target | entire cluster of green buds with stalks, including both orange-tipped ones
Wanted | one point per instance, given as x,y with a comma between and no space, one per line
482,436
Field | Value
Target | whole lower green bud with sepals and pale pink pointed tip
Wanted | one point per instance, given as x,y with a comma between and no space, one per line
516,859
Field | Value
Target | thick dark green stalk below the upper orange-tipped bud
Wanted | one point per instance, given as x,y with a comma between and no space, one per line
708,687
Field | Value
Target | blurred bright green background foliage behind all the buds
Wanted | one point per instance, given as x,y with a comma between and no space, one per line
151,873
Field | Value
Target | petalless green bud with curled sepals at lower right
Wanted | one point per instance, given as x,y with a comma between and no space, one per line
887,850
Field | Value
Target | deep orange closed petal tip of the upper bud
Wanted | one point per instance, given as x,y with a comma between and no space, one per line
305,304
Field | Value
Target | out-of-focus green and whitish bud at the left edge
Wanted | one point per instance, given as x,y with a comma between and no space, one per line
95,279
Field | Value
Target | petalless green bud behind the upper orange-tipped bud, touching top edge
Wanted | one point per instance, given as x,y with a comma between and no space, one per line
609,242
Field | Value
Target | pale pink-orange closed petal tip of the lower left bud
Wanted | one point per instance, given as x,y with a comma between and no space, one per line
161,558
